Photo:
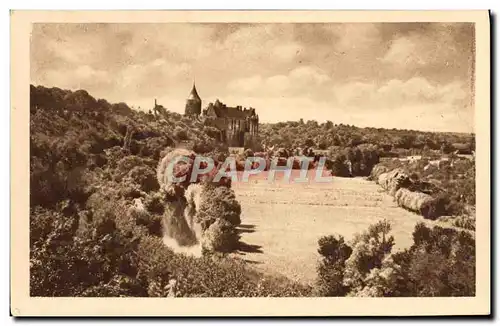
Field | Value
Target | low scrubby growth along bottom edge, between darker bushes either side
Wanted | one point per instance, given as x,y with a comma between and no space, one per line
209,276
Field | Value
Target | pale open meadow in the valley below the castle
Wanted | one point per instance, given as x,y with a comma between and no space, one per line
281,223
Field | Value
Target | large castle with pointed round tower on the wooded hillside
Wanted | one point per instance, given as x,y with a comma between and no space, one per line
239,126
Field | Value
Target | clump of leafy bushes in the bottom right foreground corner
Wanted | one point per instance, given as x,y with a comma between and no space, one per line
441,262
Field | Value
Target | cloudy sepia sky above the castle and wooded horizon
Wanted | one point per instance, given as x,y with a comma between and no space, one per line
391,75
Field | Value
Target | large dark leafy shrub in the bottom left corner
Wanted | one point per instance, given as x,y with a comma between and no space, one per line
66,263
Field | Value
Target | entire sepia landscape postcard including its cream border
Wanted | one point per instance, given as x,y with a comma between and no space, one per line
320,156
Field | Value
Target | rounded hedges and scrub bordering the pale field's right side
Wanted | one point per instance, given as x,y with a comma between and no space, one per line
445,191
